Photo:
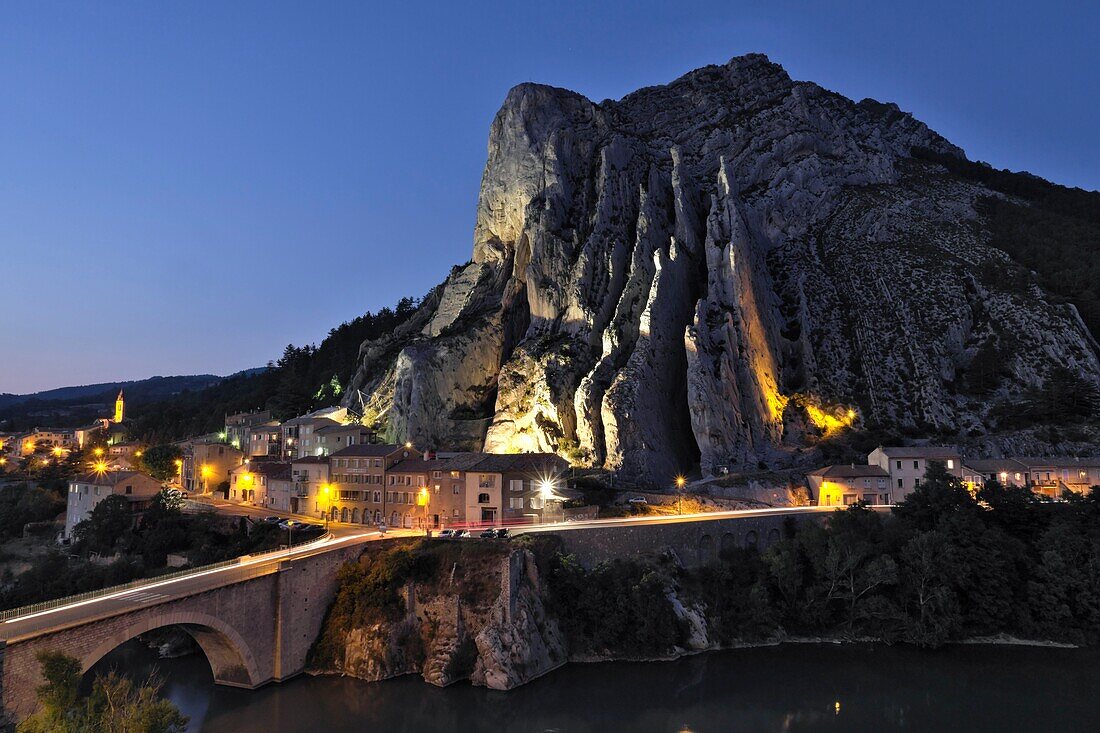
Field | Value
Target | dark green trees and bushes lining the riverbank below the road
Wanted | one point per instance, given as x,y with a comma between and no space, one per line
945,566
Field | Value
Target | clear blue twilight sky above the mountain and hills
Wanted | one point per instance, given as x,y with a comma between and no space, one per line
186,188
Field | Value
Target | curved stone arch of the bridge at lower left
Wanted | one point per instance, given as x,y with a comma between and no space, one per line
232,660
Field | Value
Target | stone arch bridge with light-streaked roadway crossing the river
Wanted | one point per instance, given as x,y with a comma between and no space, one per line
256,623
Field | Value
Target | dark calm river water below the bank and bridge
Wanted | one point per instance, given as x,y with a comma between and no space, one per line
977,690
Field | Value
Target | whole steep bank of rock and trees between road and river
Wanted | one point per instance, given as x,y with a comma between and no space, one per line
943,568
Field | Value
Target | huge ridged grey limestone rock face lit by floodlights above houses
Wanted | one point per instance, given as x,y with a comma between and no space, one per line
709,272
